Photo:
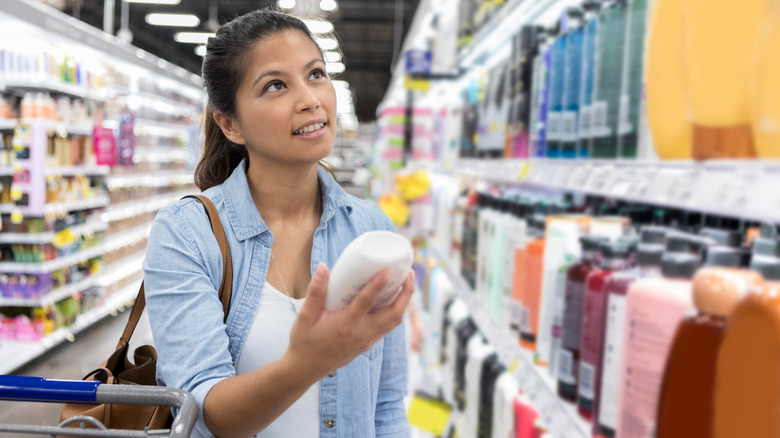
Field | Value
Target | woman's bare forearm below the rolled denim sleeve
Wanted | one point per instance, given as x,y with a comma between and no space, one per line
243,405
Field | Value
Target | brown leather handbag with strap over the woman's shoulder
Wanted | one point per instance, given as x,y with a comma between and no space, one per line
118,369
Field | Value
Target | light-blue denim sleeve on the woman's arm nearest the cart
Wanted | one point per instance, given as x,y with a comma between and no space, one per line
186,317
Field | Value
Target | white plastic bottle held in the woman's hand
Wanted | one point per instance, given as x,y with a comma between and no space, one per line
361,260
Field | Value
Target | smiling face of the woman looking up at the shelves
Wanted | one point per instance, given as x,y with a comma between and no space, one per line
286,104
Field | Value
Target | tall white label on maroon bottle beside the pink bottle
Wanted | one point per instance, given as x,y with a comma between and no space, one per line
613,355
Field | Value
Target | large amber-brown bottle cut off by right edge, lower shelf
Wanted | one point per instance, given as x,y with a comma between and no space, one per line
747,400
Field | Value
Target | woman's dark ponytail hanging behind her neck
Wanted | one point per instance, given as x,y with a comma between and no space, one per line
220,155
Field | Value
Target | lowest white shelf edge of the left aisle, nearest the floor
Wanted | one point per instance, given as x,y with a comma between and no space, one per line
17,353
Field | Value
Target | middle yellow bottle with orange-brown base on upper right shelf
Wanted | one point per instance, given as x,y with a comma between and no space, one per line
718,71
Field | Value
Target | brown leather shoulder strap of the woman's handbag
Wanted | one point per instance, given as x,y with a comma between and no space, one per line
225,286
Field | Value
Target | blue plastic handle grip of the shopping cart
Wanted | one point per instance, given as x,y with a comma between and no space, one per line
25,388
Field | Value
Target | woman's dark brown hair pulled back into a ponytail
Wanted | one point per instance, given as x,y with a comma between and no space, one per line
223,71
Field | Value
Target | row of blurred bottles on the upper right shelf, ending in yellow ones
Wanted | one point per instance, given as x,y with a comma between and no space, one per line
619,79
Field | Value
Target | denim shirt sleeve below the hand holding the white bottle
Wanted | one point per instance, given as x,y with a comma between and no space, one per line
390,419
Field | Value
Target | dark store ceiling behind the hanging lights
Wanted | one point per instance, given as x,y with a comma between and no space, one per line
364,28
